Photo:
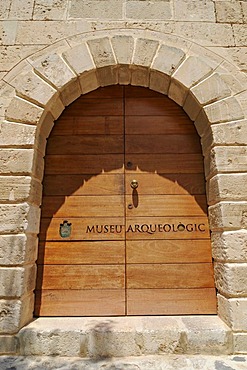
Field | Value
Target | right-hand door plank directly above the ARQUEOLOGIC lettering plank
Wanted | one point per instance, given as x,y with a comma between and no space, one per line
165,205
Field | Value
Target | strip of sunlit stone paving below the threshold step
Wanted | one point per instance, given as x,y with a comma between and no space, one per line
185,362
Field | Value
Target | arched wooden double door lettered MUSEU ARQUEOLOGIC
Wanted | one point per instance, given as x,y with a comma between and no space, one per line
124,227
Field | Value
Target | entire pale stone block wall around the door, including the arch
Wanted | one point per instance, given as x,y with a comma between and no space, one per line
51,51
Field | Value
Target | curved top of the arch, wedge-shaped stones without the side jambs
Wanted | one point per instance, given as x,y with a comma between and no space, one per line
53,78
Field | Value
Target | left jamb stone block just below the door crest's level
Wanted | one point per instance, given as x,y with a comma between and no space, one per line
18,249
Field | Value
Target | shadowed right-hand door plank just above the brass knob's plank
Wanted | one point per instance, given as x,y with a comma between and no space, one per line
164,163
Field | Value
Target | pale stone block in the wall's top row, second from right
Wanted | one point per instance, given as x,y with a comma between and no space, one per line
188,10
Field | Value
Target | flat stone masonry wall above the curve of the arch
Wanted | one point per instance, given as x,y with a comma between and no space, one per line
29,25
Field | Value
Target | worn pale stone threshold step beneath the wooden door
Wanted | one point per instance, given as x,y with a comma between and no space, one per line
104,337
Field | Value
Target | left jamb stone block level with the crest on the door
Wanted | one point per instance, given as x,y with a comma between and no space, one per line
19,218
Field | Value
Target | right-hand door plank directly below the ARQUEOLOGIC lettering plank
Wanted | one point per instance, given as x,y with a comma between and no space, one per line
168,251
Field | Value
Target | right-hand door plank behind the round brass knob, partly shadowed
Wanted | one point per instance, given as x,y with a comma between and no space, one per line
166,184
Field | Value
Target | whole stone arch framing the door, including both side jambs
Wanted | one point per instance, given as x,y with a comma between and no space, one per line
210,90
